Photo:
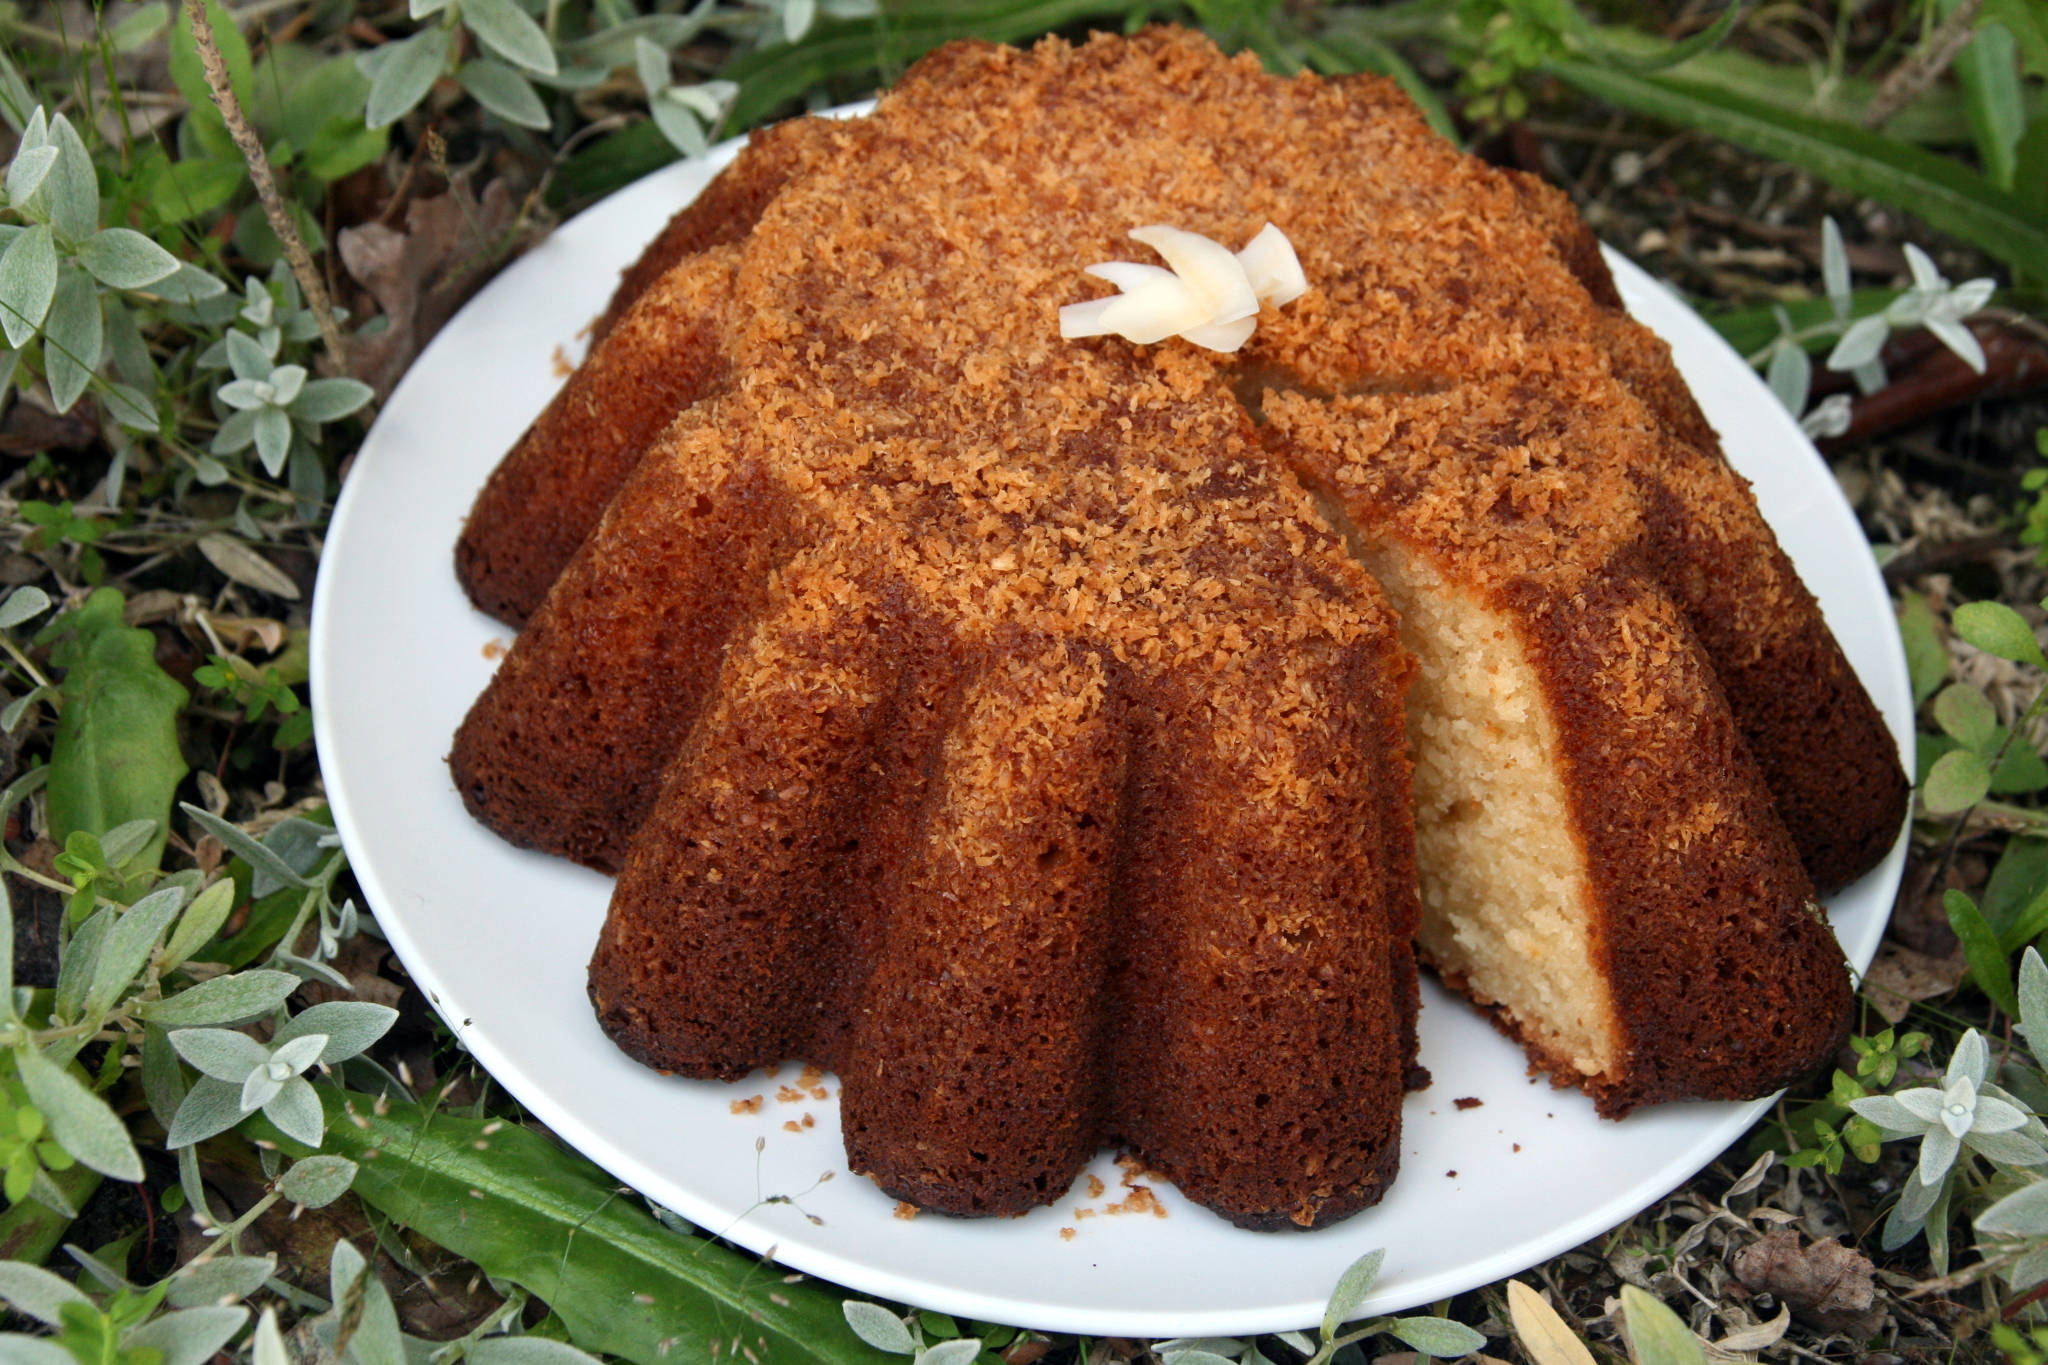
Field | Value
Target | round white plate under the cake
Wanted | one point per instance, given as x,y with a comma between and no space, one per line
499,938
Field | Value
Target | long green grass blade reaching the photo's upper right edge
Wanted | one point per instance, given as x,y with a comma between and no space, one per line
1945,195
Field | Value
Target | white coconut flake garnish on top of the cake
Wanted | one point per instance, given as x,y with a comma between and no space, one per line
1207,296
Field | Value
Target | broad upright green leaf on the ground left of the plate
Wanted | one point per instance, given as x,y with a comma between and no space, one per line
116,756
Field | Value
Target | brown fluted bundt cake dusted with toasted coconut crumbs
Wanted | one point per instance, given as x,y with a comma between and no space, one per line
1019,728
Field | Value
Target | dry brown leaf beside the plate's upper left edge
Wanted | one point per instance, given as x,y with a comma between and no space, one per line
421,275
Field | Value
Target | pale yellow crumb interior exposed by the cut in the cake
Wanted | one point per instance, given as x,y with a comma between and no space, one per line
1504,885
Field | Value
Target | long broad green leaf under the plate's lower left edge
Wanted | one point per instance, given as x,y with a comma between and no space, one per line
546,1219
